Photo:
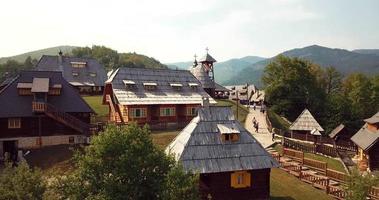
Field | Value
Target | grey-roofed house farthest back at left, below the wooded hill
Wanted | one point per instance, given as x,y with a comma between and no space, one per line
87,75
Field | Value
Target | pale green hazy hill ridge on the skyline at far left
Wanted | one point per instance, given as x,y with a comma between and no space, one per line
37,54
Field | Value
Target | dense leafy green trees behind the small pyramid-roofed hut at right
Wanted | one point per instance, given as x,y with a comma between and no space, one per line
293,84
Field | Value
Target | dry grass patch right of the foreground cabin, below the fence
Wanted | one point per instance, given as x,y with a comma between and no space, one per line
284,186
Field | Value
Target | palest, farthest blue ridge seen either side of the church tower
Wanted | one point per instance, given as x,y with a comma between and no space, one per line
223,70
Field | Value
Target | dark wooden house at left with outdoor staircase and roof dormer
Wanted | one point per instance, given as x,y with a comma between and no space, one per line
40,108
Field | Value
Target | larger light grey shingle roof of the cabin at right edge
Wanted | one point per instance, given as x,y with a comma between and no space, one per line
365,138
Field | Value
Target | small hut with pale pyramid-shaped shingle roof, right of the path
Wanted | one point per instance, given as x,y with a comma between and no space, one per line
304,125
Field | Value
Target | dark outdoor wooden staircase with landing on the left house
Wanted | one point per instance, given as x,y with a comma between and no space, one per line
62,117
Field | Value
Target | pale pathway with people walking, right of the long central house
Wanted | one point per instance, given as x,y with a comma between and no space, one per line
263,136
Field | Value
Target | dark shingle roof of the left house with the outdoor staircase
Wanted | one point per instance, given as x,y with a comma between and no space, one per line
14,105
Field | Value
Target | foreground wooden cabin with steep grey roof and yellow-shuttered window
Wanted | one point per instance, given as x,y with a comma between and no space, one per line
232,164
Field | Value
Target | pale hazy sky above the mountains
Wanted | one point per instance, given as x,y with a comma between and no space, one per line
174,30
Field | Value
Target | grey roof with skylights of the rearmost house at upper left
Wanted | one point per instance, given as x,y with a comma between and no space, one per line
83,77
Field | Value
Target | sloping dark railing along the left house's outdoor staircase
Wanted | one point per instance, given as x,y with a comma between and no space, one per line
67,119
